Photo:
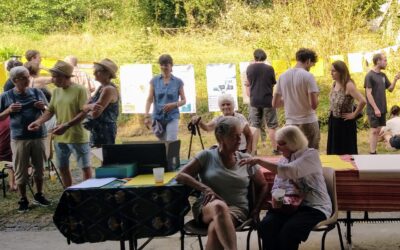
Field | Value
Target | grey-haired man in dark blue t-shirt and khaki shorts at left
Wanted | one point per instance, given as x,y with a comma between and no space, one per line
24,105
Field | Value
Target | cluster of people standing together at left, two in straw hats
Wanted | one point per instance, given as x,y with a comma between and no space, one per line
31,115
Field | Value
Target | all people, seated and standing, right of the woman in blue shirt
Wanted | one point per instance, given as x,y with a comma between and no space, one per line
222,173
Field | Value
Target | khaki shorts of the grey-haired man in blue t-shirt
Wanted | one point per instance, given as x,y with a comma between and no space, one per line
25,153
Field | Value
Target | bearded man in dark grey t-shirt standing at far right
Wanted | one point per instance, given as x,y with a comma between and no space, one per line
375,84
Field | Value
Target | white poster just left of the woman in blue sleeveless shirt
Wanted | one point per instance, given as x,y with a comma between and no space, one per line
134,84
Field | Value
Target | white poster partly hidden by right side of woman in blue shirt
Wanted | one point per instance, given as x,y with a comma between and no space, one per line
186,74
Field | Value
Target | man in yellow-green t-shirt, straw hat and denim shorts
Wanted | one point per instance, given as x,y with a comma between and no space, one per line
70,136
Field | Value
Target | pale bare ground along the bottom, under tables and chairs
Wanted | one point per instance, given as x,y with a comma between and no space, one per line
366,236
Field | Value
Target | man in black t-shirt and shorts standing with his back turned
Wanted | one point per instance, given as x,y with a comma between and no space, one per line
261,81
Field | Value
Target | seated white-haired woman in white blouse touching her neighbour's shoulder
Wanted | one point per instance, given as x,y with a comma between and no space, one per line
301,167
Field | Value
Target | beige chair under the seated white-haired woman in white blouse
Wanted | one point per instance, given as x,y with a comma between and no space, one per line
330,223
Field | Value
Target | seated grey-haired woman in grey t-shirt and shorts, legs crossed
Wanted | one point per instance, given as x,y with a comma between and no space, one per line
224,186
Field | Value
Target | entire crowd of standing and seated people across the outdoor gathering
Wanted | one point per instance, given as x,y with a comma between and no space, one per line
77,117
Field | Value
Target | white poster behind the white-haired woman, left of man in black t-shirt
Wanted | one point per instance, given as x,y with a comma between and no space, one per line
221,79
